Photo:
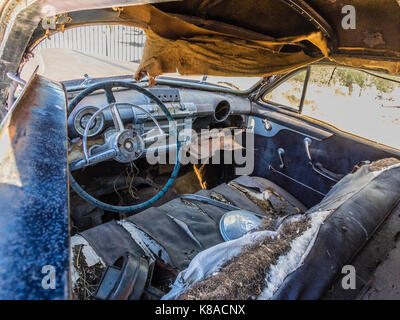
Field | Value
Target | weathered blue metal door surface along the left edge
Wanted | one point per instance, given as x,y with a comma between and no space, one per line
34,232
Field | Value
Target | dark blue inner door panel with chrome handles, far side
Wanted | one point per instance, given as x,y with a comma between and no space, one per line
336,152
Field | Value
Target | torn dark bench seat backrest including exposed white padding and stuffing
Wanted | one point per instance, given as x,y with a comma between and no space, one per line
341,225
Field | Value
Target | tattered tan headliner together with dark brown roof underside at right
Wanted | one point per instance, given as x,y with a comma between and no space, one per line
260,38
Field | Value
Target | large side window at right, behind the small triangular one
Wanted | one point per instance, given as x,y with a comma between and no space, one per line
357,102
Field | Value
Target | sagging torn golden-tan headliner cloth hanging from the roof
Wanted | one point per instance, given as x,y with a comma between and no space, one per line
175,45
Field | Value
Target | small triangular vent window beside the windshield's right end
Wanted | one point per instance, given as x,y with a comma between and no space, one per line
288,94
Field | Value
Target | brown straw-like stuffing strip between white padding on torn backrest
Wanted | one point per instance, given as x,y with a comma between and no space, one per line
243,277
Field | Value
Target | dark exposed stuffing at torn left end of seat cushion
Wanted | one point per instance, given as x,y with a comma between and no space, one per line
89,277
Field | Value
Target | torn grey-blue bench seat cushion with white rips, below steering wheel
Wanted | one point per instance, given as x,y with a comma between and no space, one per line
178,230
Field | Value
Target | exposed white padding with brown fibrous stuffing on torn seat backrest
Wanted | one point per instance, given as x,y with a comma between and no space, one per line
251,267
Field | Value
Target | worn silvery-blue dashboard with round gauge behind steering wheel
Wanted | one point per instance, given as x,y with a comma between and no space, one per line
192,110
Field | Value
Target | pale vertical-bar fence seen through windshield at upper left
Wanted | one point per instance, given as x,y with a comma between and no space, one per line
113,41
